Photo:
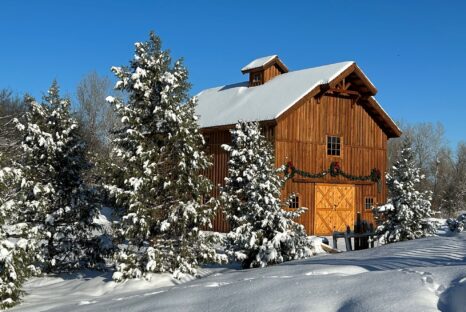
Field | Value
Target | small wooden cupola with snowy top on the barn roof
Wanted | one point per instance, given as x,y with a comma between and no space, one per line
264,69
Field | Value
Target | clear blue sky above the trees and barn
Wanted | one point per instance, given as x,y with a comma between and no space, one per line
413,51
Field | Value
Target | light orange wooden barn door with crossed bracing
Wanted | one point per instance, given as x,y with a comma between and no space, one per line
334,207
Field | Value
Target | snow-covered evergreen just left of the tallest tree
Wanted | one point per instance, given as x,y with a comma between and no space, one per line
51,204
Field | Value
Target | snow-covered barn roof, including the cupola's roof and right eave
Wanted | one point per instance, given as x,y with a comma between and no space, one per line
225,105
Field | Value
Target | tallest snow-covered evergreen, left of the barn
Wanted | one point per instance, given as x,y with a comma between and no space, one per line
159,182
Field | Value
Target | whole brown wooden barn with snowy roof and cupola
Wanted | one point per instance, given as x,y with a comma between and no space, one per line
326,127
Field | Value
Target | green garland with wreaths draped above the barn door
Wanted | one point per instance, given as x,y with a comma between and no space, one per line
334,170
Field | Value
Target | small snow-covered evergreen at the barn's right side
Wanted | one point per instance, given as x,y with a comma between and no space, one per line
406,215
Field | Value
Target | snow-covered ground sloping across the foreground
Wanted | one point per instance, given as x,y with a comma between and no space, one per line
422,275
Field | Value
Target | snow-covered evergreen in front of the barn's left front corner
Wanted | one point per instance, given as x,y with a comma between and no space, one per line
262,232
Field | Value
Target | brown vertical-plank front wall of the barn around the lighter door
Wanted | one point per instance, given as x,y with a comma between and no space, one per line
300,137
